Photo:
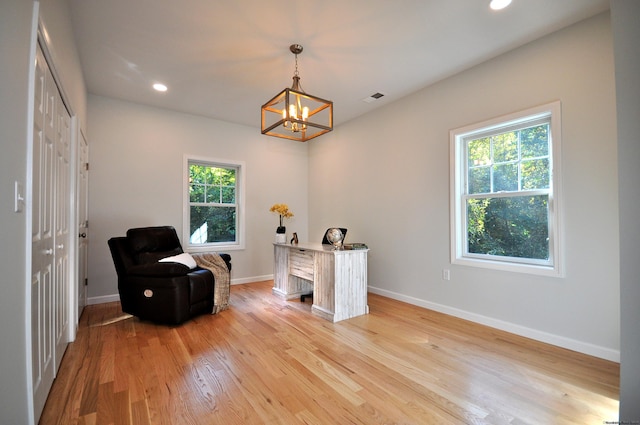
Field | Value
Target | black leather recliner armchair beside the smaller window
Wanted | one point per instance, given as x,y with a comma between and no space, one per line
164,292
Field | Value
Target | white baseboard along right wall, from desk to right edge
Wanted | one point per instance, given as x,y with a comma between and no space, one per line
559,341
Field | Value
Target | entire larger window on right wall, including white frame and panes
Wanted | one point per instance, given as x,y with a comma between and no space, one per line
505,192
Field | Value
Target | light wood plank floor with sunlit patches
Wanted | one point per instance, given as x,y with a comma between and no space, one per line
268,361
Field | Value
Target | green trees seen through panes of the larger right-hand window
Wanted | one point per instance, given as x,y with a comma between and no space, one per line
507,199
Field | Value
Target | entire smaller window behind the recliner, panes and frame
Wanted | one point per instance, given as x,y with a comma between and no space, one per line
213,213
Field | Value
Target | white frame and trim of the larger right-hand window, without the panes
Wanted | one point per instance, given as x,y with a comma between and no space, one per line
458,168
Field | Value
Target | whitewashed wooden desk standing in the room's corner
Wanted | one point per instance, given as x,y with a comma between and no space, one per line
338,279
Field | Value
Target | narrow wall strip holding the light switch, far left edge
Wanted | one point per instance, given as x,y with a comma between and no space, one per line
15,40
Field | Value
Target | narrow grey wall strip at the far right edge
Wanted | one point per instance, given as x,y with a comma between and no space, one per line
626,33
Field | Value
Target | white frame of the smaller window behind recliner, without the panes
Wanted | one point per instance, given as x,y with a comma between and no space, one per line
240,205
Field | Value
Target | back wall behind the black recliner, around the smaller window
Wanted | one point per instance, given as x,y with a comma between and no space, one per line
136,158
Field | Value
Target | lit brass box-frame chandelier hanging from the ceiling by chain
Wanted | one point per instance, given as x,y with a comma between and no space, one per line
295,115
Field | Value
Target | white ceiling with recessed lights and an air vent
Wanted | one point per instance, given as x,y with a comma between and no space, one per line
225,58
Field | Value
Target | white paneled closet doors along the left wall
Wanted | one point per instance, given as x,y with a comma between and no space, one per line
50,239
